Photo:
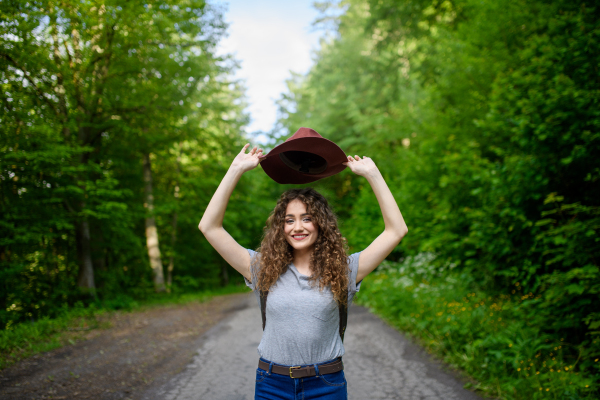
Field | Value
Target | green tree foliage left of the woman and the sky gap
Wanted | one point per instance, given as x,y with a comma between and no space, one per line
87,89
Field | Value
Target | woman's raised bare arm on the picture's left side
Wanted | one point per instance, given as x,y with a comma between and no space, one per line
211,223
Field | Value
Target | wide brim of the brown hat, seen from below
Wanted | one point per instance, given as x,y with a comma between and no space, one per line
277,170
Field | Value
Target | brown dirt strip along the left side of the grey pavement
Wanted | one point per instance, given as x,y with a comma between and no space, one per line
141,350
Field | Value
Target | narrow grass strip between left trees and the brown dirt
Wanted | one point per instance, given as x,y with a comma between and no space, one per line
27,339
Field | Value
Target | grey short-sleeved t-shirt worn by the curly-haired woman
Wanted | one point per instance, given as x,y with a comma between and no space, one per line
302,321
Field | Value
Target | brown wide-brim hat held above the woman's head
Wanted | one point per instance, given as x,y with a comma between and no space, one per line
303,158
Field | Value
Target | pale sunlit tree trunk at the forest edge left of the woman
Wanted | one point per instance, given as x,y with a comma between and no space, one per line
151,232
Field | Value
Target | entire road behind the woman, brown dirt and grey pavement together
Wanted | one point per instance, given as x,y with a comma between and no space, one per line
208,352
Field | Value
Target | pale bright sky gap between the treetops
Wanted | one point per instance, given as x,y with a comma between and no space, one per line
270,38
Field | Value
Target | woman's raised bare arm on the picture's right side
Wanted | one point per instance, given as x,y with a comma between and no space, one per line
395,227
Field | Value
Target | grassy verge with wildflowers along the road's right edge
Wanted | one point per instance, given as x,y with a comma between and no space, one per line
486,337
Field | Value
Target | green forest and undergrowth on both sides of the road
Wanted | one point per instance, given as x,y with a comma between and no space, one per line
119,119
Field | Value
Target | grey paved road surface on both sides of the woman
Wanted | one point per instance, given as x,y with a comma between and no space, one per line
379,363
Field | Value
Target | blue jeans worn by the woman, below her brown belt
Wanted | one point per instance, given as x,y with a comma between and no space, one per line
271,386
